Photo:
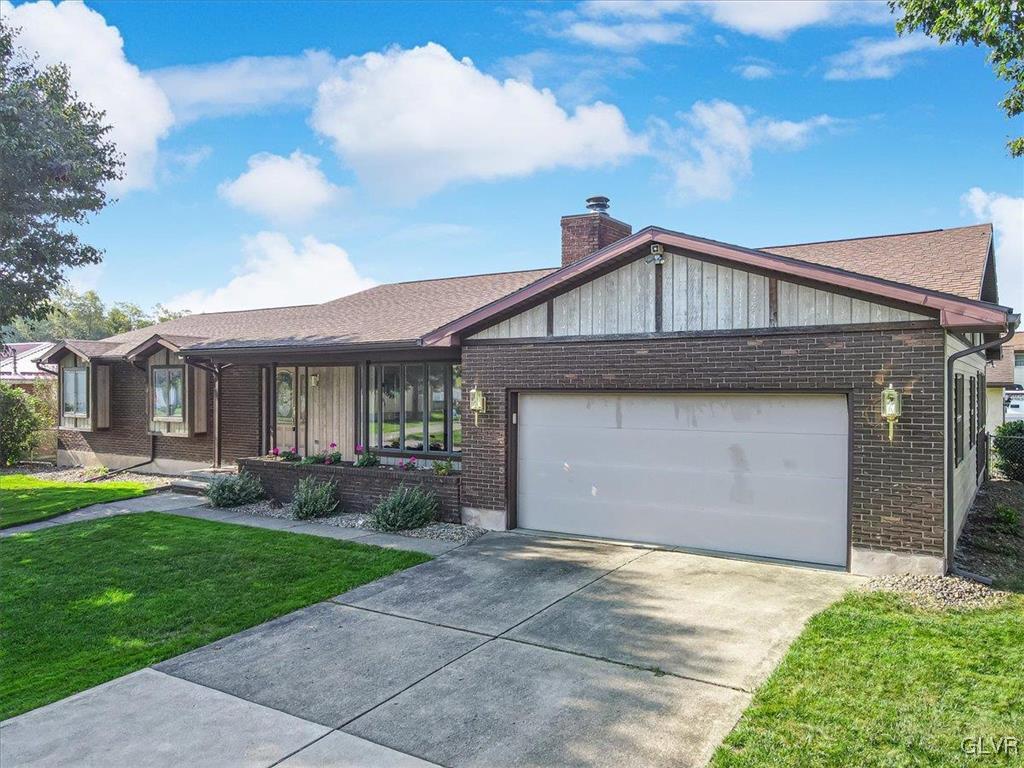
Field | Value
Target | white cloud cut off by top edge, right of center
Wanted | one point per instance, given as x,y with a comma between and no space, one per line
774,21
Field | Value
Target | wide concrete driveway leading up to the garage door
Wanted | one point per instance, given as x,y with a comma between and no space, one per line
516,651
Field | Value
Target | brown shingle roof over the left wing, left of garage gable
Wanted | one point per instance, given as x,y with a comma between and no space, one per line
396,313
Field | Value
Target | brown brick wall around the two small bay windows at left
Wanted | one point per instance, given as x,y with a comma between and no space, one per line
130,435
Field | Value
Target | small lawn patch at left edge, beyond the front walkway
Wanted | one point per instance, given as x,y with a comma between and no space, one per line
27,499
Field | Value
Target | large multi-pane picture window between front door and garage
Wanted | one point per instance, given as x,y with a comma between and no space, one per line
413,408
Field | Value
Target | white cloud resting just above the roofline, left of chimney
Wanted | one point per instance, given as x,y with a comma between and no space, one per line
276,274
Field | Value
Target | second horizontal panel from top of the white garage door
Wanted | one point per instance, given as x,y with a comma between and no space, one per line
784,454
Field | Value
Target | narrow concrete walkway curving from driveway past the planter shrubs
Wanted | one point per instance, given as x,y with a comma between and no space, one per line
192,506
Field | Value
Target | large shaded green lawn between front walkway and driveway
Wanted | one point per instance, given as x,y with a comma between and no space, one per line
87,603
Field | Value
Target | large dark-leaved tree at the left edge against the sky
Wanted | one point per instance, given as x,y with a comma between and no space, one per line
56,161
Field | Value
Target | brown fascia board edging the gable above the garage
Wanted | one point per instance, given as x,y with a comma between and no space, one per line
955,312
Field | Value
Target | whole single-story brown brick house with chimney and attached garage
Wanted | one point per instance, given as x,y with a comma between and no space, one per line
657,388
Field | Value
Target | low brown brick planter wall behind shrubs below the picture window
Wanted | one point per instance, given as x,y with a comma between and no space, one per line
358,489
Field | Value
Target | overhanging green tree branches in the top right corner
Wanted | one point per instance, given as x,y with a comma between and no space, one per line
999,25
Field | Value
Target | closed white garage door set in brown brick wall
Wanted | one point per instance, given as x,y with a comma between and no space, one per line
751,475
